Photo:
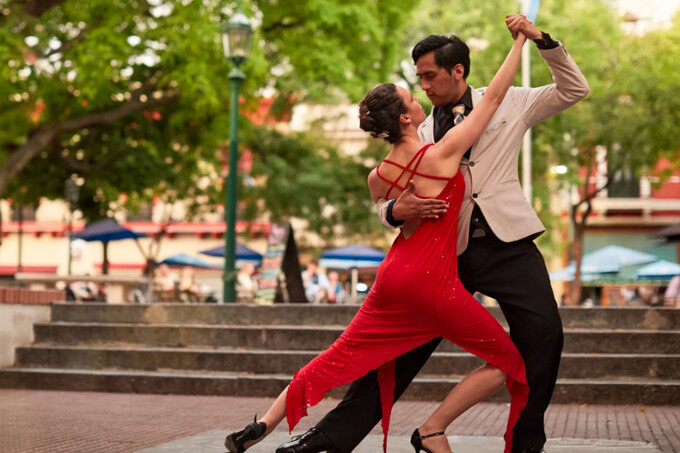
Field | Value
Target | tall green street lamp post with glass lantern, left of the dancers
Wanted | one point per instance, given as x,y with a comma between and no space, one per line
236,36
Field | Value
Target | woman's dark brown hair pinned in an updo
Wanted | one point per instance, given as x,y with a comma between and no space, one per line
379,112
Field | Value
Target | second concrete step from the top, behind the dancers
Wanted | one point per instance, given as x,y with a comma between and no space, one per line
605,341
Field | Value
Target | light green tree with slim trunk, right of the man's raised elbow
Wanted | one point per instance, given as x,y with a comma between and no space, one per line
630,113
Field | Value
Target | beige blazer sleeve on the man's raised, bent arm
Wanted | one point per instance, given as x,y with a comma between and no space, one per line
570,86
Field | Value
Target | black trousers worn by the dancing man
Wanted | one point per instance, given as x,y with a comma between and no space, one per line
515,275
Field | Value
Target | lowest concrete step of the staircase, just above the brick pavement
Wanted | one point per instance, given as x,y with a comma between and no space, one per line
579,391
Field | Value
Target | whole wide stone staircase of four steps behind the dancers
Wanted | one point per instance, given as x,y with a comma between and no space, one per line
611,355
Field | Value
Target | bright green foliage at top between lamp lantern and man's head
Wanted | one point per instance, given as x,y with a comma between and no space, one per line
322,48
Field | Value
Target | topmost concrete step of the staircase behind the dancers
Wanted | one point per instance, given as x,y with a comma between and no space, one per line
305,314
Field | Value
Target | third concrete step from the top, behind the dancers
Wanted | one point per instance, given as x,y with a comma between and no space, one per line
573,366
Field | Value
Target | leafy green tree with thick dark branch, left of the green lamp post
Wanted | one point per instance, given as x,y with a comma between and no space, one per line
122,94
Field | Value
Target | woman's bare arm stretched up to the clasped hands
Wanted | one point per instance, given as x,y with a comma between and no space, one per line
458,139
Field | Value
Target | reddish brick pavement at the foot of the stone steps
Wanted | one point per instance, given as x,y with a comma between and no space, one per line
33,421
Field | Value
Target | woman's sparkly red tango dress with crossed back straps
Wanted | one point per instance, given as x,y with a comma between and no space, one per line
417,296
